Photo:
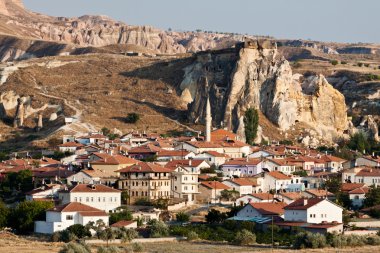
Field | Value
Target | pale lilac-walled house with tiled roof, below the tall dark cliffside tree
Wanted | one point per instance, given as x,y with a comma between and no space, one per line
242,167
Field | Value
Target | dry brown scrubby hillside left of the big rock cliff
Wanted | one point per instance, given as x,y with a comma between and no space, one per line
100,90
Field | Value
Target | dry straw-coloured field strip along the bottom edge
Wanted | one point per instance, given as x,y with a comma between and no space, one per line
14,244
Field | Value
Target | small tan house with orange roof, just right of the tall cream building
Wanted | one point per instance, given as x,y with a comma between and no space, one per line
210,191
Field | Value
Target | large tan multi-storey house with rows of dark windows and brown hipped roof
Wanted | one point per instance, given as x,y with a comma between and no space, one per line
148,181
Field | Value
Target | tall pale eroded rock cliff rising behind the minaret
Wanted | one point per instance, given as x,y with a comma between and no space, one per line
253,74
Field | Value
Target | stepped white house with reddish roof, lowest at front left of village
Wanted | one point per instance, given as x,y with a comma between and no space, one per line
61,217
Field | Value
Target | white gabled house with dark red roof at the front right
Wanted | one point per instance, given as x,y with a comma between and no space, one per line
315,210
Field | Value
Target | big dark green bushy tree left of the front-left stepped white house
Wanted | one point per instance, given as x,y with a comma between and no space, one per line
24,215
